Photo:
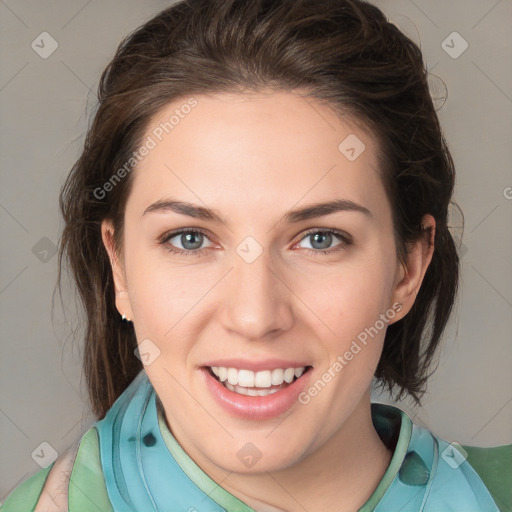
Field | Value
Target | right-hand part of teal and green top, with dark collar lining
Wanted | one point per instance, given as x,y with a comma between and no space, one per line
432,474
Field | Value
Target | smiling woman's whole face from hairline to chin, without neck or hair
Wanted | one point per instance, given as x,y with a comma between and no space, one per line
257,291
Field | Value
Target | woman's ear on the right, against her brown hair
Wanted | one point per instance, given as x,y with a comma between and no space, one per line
410,276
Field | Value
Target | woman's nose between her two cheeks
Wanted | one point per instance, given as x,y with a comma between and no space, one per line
256,302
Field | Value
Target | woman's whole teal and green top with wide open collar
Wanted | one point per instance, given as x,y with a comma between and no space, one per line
130,461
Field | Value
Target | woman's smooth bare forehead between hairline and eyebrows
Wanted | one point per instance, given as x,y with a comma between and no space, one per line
254,151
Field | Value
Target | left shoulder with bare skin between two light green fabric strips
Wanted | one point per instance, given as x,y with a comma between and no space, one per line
75,481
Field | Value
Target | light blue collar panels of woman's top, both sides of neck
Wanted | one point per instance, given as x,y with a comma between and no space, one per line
426,473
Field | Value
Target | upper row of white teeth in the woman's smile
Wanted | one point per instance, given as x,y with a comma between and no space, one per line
262,379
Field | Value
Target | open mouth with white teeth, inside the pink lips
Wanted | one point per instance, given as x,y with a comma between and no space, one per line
256,383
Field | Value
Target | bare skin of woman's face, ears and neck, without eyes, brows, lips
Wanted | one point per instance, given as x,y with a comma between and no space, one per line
253,158
